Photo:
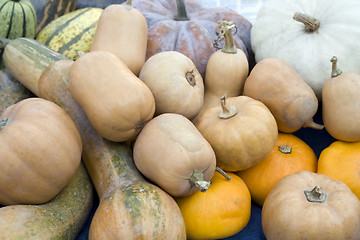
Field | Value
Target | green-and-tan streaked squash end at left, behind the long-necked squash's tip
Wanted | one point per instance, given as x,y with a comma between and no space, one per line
26,59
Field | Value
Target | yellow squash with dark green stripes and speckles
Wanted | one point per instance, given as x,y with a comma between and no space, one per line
72,32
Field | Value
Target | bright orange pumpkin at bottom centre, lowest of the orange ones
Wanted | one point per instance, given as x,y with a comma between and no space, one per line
220,212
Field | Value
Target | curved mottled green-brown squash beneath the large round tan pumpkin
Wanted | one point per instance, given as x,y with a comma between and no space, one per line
63,217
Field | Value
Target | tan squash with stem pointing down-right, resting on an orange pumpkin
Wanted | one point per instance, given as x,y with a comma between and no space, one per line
172,153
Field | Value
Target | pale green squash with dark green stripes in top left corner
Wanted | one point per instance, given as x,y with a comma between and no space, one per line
17,19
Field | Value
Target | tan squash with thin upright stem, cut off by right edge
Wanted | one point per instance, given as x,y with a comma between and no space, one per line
340,108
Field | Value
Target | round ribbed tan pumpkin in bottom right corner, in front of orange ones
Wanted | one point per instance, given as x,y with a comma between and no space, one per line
307,205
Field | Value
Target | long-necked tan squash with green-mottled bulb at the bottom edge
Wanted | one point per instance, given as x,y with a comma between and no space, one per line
130,207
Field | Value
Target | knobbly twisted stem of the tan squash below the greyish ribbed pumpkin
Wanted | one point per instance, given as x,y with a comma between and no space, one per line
225,31
